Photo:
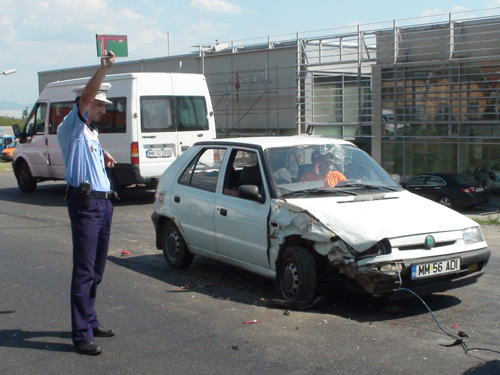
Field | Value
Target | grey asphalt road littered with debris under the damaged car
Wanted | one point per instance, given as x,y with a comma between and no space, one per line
192,321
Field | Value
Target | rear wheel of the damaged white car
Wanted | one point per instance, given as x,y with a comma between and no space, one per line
174,248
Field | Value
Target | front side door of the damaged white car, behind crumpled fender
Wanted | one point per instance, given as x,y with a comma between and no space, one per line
241,225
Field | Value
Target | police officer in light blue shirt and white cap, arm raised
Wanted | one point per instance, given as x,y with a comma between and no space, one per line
89,206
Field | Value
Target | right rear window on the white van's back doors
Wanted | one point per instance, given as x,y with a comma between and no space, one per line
192,113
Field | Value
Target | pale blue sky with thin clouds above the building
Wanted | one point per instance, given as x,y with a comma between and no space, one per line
47,35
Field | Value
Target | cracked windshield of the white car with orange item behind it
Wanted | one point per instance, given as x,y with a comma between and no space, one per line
326,169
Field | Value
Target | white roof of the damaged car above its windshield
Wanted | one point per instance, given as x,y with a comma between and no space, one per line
277,141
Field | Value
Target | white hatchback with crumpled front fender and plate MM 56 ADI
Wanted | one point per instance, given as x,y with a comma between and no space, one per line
310,213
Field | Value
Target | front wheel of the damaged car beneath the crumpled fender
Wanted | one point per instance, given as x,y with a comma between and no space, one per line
296,276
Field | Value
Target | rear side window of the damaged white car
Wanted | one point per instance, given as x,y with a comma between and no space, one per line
203,172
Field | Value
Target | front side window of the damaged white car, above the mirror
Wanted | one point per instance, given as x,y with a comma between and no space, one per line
243,169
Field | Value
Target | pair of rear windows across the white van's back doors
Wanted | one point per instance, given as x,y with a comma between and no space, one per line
173,113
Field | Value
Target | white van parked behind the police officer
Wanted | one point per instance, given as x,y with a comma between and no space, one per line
154,117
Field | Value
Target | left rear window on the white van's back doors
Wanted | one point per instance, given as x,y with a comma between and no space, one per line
157,114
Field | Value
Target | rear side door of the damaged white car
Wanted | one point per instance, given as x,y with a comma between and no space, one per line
194,198
